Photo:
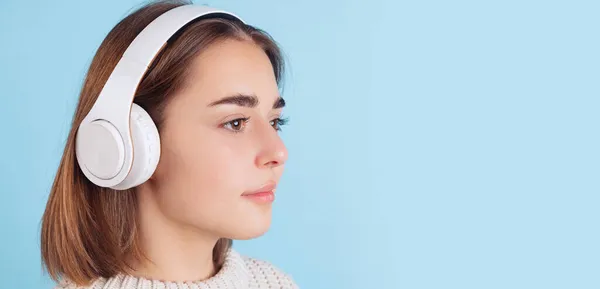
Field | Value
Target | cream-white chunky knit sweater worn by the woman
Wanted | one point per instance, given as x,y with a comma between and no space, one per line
237,272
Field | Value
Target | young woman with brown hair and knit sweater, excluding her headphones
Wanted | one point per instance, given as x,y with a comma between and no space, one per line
213,93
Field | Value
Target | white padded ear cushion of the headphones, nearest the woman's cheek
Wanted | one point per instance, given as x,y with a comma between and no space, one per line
146,148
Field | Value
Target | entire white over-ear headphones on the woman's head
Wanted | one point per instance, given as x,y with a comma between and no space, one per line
117,143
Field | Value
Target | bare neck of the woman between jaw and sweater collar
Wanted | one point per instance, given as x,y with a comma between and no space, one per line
173,251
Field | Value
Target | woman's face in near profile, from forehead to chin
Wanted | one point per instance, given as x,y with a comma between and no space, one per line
220,144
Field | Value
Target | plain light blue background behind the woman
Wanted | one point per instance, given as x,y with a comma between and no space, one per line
433,144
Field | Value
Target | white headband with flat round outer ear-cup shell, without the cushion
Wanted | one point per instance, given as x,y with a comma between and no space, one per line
110,115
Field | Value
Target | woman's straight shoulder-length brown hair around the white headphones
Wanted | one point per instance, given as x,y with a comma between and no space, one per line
89,231
